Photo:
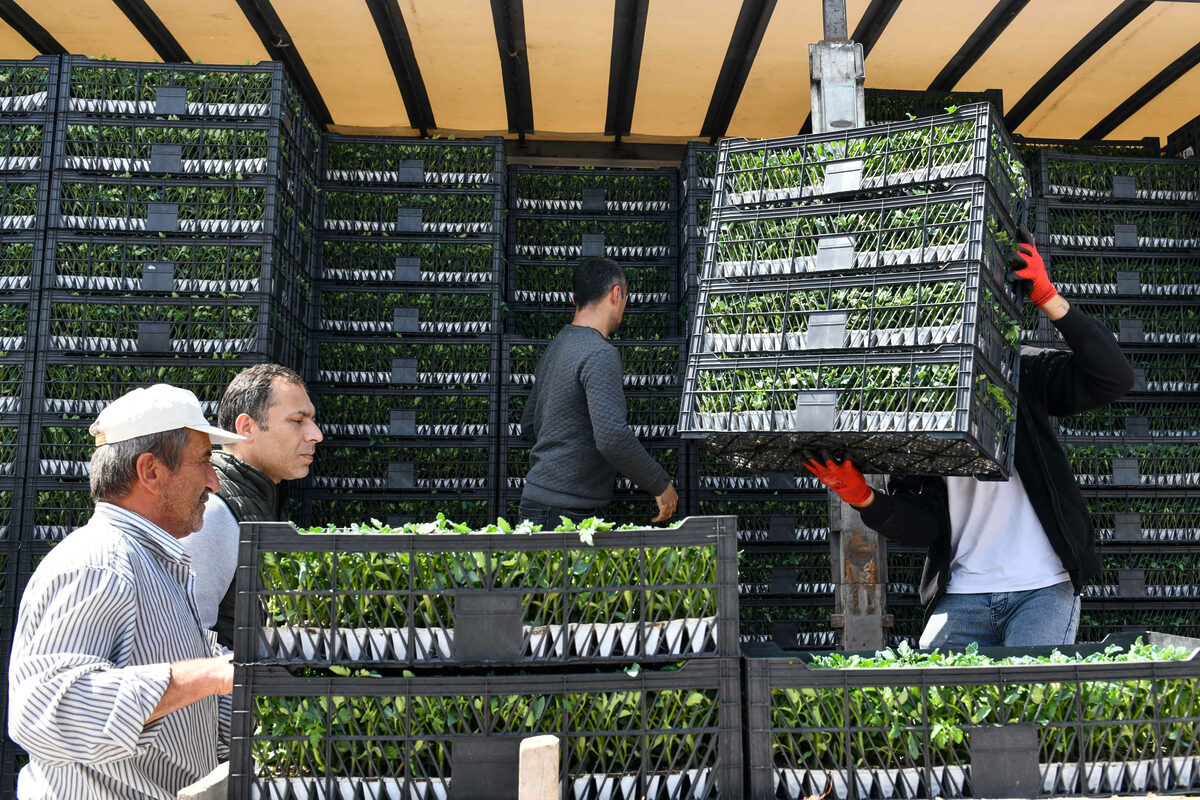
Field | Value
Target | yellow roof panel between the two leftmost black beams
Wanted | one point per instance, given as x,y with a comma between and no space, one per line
91,28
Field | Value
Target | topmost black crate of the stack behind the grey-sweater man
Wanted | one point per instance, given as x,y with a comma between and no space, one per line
619,190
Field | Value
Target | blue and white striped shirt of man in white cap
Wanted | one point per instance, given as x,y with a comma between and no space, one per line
103,619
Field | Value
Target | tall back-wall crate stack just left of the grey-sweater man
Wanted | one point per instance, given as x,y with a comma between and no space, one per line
407,324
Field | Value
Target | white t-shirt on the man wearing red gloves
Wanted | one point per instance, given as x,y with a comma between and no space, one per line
998,543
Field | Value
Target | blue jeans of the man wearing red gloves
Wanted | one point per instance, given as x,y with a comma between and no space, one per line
1011,619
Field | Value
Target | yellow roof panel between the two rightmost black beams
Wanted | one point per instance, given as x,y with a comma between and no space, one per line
1145,47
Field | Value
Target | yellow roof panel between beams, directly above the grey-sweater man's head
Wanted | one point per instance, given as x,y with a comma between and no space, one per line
571,50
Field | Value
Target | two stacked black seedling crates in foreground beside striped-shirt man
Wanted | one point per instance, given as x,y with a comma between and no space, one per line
412,664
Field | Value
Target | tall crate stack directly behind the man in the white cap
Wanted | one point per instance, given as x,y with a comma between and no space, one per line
179,250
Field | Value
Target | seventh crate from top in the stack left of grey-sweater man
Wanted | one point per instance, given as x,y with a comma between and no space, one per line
417,465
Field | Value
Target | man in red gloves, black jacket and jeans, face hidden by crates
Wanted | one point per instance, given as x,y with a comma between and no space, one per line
1007,561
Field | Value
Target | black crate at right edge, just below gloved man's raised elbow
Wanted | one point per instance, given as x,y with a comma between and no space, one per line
1177,419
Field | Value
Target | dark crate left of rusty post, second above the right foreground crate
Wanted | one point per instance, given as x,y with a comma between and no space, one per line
791,572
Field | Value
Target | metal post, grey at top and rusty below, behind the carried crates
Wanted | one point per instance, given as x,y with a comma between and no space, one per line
860,555
